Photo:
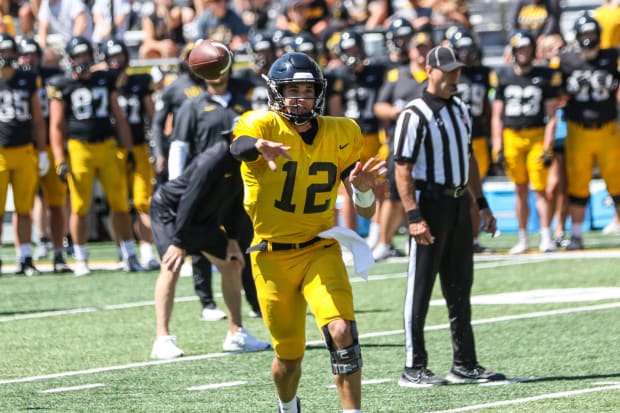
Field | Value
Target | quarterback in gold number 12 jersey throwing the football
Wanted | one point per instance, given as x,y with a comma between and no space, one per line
293,162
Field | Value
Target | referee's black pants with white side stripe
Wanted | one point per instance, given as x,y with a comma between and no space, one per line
451,255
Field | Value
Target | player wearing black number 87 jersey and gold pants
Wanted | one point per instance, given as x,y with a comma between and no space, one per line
82,137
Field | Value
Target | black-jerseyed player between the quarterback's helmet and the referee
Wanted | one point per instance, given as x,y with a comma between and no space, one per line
361,80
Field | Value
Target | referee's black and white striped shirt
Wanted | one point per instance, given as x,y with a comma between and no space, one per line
435,135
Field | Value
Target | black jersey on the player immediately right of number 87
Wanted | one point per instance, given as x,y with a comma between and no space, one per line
132,91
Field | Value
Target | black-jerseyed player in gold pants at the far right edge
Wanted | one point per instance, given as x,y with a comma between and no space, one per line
591,83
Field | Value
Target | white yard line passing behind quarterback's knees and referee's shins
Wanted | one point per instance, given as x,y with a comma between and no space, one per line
310,343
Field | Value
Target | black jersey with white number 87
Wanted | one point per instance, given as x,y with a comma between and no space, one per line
87,105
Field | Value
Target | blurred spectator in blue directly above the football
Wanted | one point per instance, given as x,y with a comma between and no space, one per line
222,23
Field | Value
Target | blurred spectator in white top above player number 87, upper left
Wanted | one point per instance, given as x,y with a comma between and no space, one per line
64,17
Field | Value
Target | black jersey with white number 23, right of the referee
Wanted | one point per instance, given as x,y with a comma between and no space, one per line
524,95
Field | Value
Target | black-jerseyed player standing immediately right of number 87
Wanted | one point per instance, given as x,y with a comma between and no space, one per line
135,98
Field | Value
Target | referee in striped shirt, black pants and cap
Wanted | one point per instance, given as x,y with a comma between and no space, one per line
435,171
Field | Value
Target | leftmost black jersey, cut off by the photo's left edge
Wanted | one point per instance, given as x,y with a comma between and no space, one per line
15,110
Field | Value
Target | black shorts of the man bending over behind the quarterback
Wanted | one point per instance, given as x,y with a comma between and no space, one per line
207,238
